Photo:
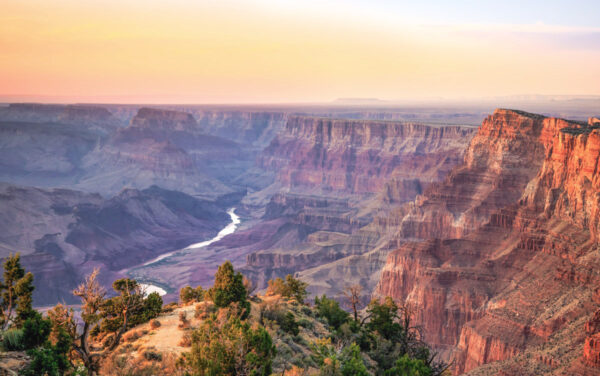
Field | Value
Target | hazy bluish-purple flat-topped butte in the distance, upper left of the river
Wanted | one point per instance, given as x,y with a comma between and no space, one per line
159,147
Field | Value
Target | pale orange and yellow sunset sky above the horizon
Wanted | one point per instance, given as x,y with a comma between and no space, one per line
279,51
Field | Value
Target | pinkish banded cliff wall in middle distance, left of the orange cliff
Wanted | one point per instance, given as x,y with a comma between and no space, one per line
360,156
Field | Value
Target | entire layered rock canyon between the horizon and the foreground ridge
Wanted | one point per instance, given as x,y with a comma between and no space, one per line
487,233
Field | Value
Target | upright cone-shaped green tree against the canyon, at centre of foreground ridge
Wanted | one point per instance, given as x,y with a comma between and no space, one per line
229,288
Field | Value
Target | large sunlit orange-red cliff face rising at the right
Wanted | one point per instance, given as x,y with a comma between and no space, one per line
511,262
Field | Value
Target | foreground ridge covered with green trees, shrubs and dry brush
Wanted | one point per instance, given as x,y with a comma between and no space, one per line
236,333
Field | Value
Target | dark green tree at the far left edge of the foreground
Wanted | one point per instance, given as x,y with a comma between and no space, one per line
16,294
